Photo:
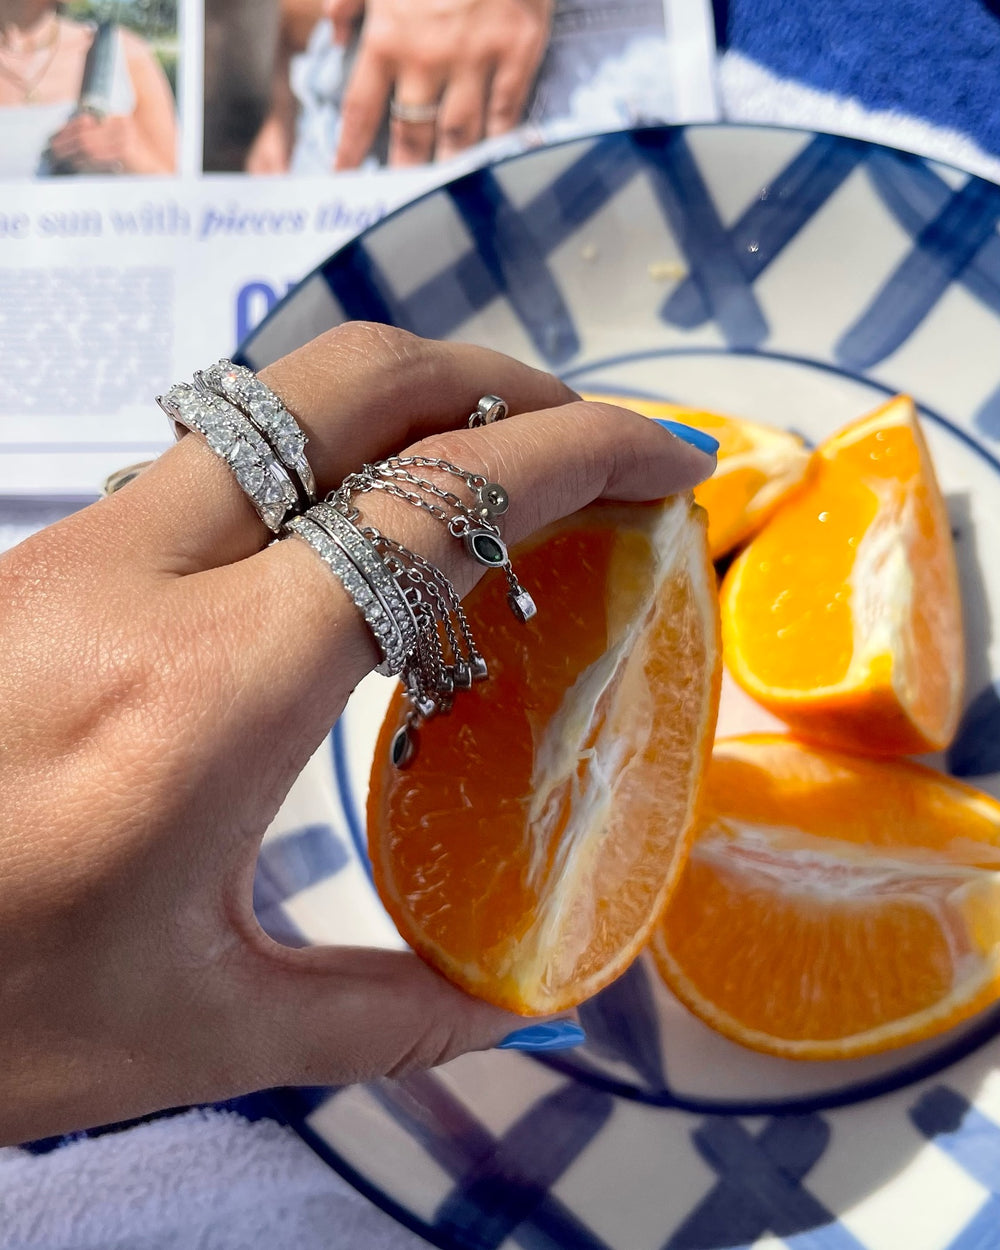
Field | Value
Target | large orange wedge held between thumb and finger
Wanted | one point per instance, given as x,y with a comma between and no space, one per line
531,847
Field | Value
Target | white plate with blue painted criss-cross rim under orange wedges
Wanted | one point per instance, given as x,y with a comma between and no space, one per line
793,278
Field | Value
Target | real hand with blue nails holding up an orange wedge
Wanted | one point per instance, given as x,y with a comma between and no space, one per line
167,677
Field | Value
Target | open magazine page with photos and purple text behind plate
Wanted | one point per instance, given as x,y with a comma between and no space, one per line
169,171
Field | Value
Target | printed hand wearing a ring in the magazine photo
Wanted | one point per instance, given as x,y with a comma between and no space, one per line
472,61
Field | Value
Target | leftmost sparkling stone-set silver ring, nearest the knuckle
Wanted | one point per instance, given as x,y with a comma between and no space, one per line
232,437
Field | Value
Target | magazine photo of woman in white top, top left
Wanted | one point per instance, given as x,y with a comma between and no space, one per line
82,92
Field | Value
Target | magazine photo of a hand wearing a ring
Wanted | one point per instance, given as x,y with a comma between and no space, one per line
393,83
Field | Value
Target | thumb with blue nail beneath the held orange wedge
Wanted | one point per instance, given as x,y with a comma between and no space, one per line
334,1016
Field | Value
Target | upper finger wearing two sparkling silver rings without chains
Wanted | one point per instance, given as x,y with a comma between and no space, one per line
361,392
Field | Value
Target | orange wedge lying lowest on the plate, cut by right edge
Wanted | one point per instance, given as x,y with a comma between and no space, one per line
832,906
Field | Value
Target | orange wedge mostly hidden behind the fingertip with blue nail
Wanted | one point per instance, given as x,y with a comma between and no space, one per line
758,467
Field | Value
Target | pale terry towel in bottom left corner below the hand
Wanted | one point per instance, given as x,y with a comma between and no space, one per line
204,1181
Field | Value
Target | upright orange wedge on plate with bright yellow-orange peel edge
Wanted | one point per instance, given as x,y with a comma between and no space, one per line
843,616
